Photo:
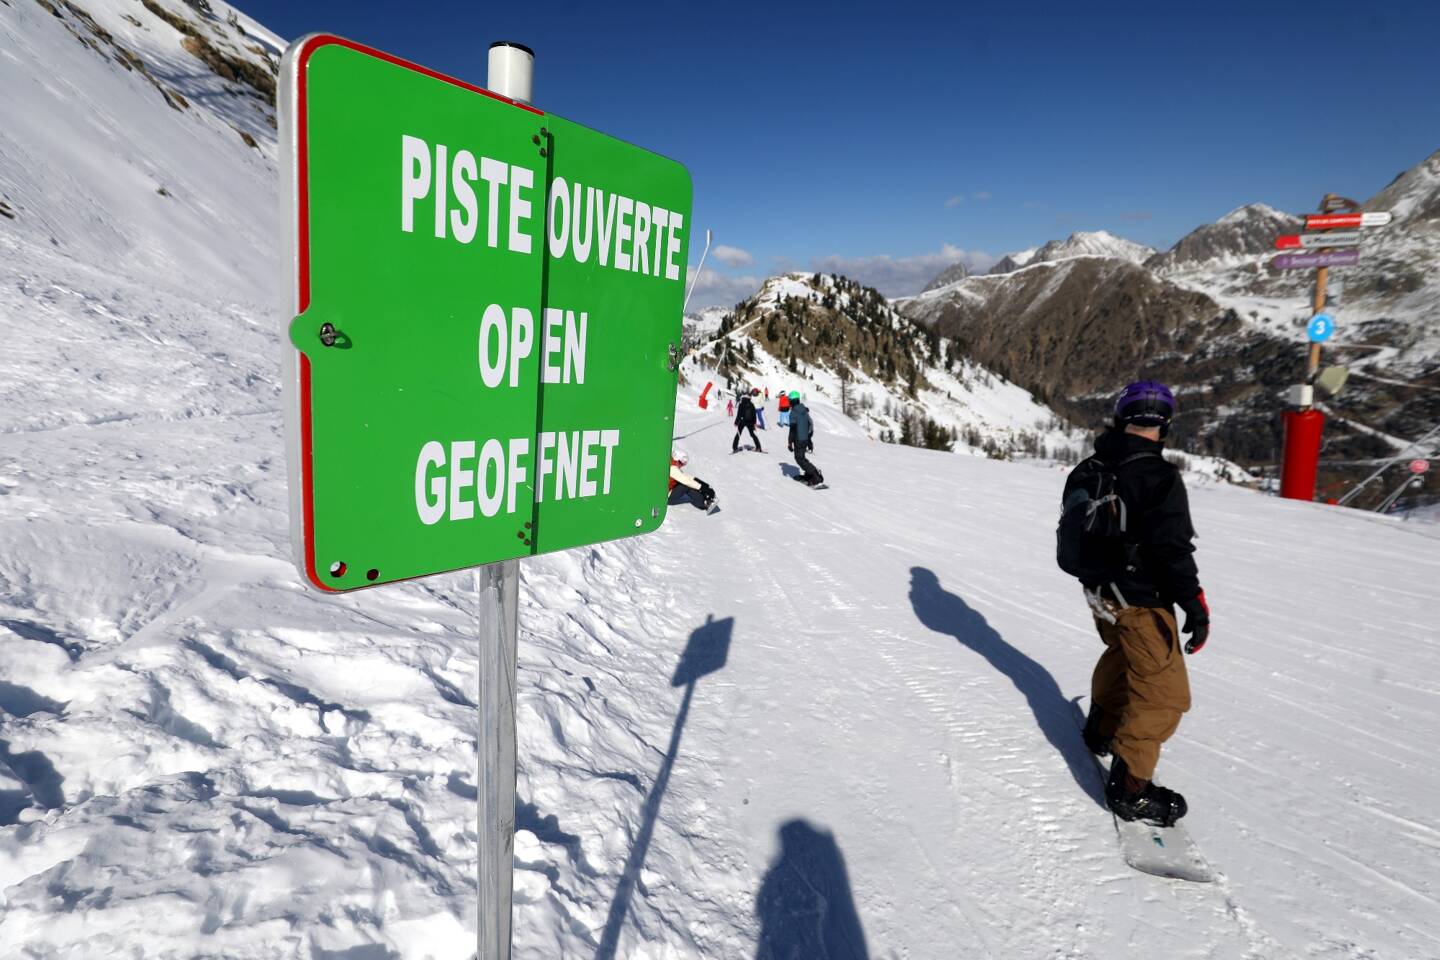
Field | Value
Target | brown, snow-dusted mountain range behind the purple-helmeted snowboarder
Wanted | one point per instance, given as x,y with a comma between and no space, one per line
1218,320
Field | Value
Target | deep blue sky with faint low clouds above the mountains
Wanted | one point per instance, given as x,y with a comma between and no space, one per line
888,140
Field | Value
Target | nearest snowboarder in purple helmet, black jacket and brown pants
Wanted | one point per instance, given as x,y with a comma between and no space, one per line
1125,532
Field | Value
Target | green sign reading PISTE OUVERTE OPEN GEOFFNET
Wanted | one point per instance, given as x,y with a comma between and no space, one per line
485,304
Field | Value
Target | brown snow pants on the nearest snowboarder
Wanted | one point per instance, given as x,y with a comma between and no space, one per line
1140,686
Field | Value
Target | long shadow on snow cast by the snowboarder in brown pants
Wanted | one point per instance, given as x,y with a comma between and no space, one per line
1059,719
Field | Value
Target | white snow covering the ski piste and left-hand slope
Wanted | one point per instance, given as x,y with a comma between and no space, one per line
817,725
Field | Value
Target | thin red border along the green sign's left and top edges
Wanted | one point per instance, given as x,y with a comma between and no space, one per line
303,251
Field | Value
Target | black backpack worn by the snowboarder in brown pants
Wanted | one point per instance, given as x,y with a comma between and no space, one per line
1094,539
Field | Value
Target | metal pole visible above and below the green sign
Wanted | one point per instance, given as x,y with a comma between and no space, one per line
498,595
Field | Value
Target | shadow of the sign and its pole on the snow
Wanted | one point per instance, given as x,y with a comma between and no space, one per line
706,653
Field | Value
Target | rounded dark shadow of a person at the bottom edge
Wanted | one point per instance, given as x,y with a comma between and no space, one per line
806,907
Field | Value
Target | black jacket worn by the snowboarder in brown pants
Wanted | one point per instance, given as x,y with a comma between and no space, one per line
1160,522
